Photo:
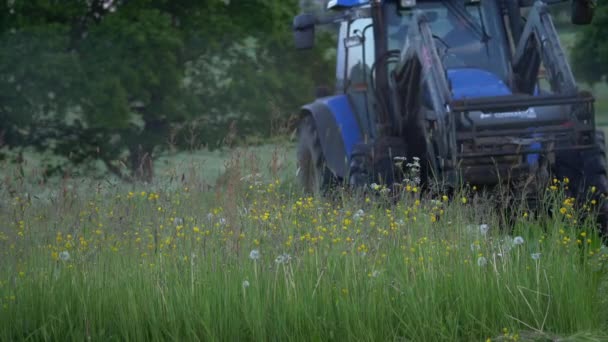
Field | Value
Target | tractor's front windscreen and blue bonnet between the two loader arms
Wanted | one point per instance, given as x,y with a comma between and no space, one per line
473,49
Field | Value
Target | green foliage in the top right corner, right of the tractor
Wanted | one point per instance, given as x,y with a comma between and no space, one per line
590,52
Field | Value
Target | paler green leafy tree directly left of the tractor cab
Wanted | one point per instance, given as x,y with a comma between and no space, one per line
260,79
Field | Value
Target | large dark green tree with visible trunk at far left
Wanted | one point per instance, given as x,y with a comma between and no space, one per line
107,67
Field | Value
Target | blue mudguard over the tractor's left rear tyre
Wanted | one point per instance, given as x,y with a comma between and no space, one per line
338,130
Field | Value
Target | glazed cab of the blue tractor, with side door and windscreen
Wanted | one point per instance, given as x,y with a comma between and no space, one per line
473,47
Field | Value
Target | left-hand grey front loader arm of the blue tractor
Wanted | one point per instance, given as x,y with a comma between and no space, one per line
420,93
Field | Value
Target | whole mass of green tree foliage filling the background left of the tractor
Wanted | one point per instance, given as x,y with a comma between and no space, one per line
114,80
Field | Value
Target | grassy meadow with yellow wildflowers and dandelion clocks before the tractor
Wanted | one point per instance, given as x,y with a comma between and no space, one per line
239,253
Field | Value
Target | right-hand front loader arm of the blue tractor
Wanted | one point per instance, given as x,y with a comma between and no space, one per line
539,42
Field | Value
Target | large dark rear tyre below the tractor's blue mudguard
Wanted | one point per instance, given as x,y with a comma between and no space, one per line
313,174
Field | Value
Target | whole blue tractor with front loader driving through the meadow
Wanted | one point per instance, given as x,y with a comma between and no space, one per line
480,91
